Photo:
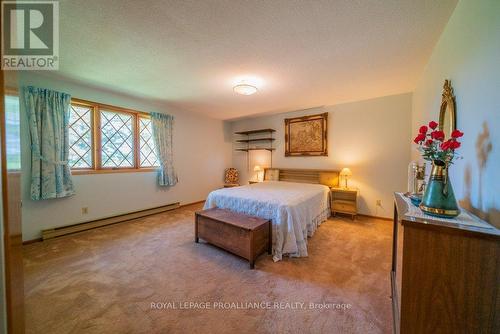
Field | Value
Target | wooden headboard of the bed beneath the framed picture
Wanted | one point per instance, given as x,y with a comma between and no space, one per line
327,177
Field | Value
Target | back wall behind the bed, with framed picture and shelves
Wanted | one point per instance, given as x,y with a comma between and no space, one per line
370,137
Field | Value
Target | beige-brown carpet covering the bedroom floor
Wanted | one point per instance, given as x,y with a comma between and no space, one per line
104,281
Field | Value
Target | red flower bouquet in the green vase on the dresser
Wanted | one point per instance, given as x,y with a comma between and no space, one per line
433,146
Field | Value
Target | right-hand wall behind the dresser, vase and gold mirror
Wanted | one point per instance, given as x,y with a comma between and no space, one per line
468,53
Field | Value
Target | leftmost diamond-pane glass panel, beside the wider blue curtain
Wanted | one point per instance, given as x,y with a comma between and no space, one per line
80,136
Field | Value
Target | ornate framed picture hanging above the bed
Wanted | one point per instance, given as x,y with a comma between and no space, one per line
306,135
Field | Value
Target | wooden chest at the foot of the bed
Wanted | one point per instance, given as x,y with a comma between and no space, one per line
240,234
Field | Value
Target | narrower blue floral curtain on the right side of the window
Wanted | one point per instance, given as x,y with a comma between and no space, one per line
162,133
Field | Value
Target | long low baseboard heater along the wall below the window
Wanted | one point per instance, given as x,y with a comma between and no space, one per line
64,230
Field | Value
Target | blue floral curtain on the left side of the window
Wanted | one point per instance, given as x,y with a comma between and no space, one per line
48,119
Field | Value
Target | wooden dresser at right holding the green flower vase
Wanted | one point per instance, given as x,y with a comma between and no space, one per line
445,276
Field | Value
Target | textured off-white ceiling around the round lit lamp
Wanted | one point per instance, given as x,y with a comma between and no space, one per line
307,53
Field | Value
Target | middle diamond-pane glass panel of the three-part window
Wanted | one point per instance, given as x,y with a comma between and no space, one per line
117,140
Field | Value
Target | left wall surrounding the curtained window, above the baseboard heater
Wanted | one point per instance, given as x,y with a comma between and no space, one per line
200,155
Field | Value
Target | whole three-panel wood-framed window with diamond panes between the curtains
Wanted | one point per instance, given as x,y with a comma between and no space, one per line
105,138
